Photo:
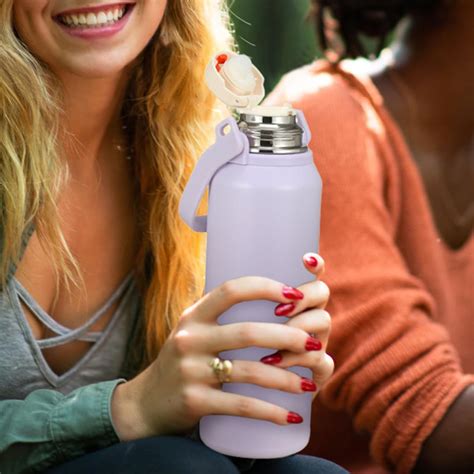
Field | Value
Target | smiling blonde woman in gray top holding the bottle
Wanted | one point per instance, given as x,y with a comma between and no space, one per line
105,337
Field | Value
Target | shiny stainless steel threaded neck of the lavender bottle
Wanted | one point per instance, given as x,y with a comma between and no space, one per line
278,135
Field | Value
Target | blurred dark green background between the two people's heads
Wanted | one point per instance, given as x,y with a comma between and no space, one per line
276,34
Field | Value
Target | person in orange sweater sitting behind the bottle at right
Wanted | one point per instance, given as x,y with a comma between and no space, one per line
394,143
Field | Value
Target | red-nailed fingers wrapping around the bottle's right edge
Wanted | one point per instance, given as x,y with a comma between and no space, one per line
308,314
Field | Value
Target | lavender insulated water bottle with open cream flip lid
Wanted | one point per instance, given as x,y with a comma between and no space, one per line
263,216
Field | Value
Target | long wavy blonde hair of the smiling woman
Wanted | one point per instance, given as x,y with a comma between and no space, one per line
170,116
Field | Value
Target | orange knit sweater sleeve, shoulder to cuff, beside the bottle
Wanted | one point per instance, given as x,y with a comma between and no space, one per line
397,372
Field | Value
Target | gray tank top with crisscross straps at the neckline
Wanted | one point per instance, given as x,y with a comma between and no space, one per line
23,368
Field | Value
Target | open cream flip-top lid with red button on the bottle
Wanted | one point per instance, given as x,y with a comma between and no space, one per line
239,84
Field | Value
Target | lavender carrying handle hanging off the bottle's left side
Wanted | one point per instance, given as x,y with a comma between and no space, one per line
227,147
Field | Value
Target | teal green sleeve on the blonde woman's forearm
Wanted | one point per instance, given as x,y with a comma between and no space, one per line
48,428
